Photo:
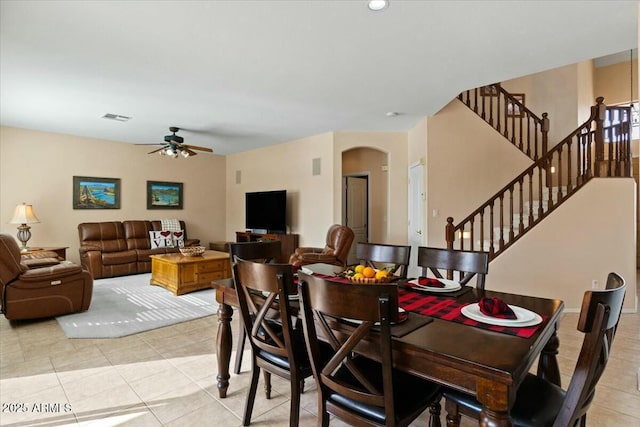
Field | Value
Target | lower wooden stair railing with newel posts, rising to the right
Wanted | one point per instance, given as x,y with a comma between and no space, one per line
542,187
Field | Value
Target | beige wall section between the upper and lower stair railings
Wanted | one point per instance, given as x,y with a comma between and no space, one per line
467,162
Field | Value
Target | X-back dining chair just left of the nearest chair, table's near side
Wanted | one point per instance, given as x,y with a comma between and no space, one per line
277,347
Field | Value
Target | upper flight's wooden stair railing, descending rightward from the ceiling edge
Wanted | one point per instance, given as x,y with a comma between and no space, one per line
510,117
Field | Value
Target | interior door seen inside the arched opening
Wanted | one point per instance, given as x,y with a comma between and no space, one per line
356,202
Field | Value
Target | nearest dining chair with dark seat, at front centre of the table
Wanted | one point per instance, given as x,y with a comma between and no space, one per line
356,389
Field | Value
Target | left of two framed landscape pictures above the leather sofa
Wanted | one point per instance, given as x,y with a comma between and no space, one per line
96,193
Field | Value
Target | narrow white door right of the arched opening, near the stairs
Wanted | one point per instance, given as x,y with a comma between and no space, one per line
417,200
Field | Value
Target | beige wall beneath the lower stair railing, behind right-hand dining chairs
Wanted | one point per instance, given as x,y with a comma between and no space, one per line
561,256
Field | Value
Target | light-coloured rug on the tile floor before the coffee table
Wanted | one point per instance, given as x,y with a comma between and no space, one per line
127,305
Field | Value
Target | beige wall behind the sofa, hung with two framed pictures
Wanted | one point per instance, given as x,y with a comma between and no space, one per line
38,168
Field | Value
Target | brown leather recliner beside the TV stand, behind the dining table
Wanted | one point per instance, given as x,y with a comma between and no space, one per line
336,250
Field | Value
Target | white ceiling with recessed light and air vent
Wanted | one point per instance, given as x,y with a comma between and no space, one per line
237,75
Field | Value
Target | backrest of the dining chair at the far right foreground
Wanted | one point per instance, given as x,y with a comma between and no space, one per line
598,319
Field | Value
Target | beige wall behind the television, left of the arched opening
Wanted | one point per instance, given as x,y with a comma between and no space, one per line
287,166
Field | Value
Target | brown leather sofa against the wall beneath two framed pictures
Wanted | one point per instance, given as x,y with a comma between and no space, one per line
119,248
